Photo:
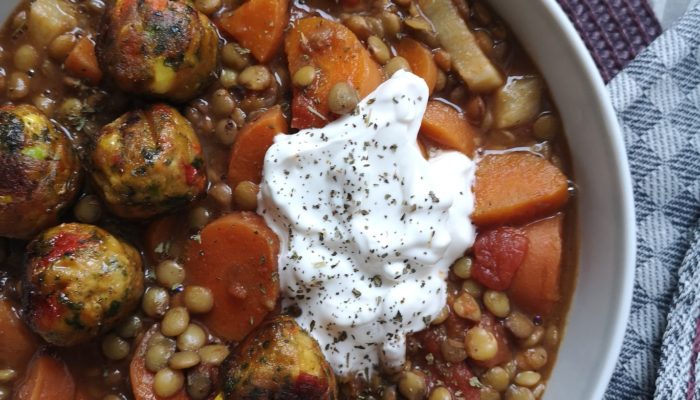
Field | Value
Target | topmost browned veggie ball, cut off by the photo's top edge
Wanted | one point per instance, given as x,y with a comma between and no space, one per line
164,49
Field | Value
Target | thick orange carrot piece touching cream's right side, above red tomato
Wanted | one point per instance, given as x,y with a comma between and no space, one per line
517,187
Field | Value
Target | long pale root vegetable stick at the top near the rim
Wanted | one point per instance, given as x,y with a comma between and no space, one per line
468,60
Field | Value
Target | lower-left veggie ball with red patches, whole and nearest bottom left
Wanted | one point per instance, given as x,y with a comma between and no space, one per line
80,281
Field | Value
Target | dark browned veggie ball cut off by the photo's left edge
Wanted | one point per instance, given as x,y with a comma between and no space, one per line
39,173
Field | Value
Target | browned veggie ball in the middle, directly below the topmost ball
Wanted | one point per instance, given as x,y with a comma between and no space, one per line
147,162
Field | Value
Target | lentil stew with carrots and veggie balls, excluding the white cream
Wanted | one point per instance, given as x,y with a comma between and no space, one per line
132,142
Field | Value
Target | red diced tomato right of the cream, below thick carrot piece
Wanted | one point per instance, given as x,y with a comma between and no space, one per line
498,254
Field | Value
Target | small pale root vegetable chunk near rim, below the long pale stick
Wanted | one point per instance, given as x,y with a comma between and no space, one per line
517,102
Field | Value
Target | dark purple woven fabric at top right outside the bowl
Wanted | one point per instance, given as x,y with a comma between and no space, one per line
615,31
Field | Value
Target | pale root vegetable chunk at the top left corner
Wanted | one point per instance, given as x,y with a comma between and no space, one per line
50,18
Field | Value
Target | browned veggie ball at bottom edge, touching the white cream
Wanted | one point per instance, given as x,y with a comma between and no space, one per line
278,361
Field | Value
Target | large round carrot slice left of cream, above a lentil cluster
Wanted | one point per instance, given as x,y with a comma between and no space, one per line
236,258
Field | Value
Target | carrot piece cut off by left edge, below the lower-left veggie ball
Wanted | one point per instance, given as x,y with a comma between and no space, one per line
17,342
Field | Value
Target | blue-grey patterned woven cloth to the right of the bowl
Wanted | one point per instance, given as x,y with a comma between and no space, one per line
657,98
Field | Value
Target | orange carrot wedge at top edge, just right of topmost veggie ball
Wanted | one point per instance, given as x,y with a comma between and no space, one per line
258,25
